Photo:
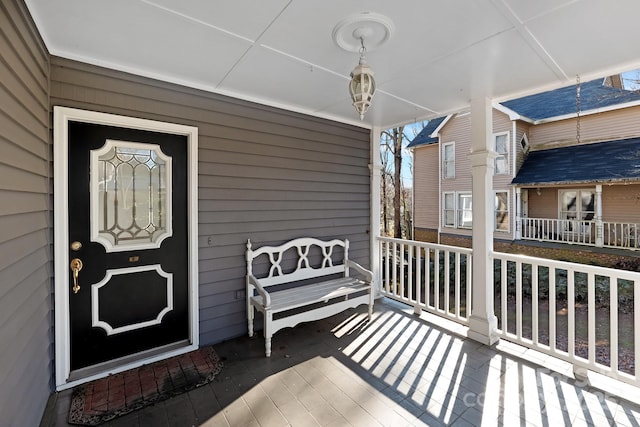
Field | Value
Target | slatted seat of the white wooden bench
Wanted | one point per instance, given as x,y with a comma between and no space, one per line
300,296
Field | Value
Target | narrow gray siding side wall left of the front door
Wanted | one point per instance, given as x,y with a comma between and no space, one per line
25,233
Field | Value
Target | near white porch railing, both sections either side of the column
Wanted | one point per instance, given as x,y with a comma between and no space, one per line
583,314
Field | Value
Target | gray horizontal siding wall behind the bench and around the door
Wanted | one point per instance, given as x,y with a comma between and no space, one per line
265,174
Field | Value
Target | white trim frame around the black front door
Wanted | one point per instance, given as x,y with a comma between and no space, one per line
61,117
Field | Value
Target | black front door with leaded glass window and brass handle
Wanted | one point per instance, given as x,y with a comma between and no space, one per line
127,202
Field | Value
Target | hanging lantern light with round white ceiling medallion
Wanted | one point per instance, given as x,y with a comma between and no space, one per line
362,33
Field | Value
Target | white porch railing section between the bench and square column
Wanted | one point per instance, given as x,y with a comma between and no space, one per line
429,277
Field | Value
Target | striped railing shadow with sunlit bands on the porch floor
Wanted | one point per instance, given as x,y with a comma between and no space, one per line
444,379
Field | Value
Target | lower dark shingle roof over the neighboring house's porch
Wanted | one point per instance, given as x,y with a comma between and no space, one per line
600,162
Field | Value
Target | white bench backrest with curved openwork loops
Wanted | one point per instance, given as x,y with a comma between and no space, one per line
304,268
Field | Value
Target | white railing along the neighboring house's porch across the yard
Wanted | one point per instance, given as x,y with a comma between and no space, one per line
614,234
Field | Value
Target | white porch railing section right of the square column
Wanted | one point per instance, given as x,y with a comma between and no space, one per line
583,314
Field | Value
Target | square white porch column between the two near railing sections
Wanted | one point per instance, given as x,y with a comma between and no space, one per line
483,322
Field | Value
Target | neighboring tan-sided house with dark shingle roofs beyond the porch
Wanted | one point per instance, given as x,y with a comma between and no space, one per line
549,186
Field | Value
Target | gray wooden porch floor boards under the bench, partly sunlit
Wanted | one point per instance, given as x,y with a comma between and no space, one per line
397,370
